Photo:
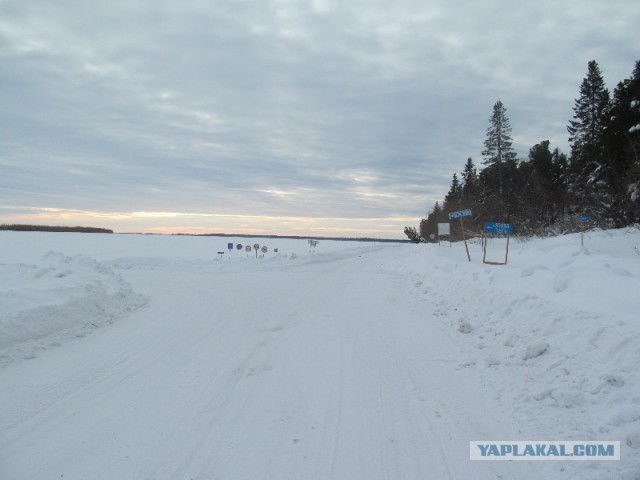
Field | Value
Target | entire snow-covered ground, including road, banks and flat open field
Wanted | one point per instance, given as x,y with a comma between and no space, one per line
153,357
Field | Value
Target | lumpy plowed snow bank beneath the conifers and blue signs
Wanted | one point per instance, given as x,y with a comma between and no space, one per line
556,333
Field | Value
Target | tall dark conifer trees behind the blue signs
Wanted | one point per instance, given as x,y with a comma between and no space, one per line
549,193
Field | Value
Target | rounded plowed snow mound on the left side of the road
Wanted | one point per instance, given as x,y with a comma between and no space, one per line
45,304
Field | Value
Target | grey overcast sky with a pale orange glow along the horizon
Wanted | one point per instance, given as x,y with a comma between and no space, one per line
289,117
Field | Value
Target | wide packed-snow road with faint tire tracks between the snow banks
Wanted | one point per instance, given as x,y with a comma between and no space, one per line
342,365
